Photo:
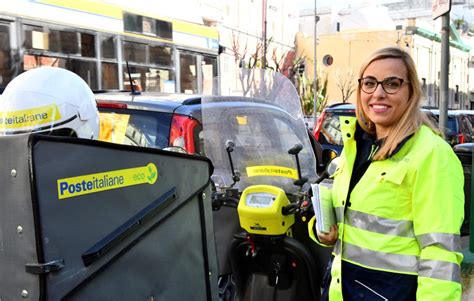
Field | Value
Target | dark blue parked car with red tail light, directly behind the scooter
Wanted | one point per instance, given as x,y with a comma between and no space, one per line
160,121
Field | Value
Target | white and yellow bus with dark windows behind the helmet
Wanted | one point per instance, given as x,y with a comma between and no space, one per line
108,45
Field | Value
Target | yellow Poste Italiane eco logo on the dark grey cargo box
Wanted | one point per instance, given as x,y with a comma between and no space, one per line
92,183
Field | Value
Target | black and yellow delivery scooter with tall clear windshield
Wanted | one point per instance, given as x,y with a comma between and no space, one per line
253,141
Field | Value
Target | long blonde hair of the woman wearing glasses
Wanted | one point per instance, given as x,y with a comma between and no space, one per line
411,119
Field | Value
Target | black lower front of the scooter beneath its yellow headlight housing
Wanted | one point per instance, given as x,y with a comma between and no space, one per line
273,268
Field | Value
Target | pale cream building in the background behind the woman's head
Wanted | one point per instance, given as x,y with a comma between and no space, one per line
348,35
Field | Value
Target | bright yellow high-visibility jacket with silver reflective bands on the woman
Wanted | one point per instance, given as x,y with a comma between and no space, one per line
404,216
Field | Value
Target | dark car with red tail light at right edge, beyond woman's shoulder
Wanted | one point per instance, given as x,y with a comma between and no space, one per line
459,127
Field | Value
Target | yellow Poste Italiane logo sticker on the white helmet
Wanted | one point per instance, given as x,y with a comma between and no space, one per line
30,117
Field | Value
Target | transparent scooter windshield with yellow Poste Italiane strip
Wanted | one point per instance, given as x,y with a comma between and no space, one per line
260,119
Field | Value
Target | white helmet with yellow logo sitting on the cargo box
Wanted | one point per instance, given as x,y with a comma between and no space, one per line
48,99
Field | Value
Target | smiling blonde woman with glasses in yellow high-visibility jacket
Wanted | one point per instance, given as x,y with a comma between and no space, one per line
398,194
